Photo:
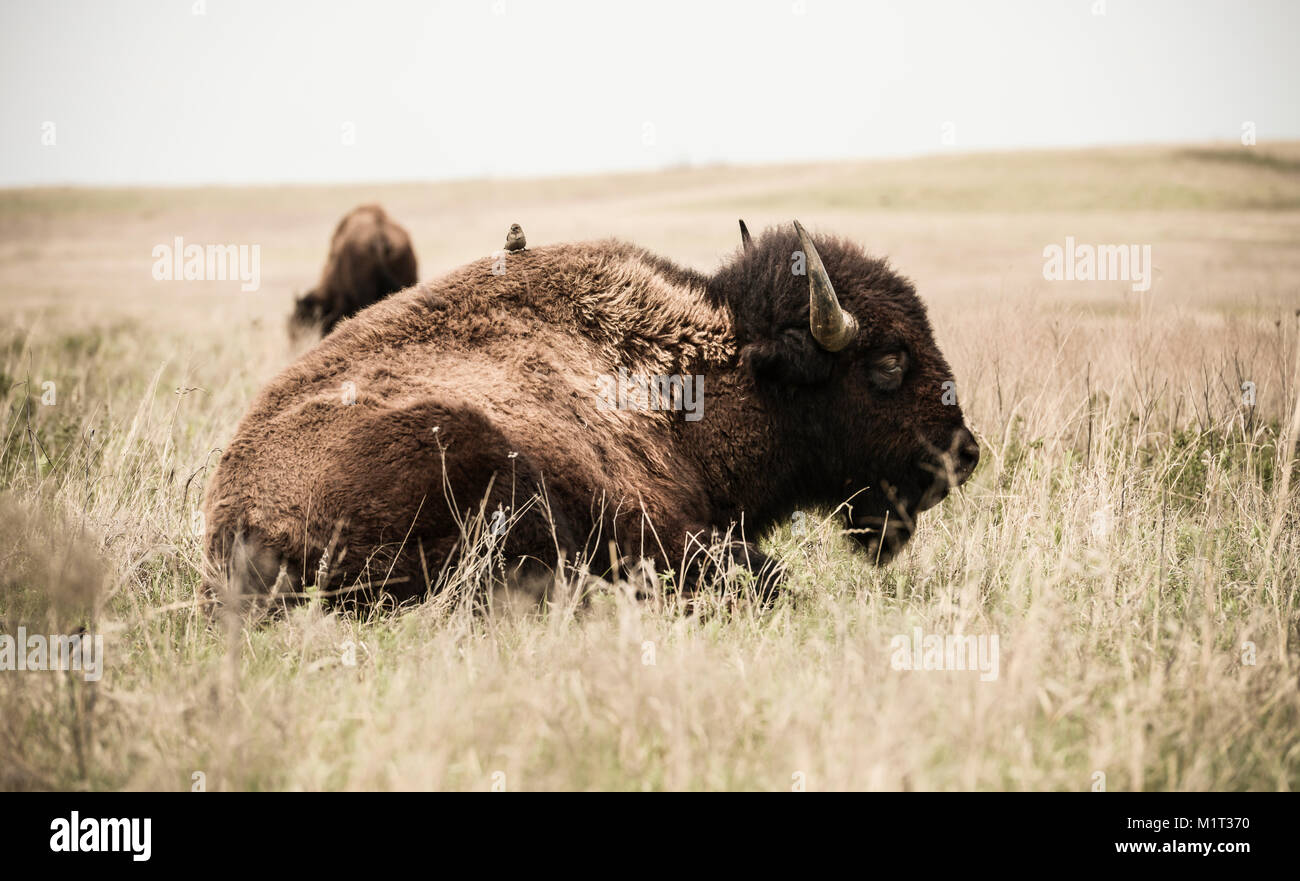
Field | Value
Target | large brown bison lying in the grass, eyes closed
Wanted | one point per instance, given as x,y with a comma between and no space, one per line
483,393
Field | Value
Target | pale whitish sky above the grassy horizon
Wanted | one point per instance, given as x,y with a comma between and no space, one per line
146,92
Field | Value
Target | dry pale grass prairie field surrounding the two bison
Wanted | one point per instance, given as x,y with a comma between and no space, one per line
1132,537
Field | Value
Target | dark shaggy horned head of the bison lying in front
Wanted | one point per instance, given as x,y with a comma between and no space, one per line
843,357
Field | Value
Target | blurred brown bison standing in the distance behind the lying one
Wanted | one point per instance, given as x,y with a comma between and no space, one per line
370,258
